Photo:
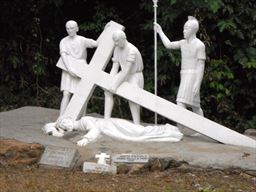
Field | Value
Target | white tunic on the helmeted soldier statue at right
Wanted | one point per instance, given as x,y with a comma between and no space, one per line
191,52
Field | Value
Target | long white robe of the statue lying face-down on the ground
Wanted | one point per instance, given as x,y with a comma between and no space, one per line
125,130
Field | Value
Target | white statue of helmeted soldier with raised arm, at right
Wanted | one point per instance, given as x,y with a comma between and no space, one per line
192,64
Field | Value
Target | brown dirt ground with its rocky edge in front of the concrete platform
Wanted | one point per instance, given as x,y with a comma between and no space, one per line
19,171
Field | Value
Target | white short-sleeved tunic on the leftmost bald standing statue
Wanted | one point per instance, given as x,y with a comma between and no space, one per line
77,49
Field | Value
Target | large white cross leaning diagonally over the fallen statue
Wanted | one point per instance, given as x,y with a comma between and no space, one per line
93,75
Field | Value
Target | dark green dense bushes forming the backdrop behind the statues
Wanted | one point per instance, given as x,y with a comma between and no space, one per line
31,33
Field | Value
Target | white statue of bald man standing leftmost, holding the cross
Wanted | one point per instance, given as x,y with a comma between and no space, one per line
72,46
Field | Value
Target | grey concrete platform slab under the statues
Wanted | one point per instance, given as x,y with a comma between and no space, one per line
25,124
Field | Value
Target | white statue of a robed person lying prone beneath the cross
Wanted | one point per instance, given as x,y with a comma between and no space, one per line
113,127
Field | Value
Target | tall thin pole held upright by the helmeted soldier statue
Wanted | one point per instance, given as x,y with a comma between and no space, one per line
155,50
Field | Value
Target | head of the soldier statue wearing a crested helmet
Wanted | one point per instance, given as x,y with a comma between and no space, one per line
190,27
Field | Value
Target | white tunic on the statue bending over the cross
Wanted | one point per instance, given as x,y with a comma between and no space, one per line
132,55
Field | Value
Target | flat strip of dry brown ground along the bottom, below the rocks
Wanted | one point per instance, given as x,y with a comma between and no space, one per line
32,178
